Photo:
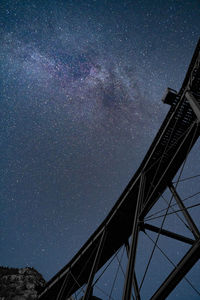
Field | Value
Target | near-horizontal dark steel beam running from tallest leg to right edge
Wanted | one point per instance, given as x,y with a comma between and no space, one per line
168,233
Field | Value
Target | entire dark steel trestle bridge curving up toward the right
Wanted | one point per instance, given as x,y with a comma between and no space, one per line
165,157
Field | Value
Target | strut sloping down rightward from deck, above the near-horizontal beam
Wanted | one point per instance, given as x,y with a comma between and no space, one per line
186,214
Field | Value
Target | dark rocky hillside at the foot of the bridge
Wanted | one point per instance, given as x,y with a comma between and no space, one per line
20,284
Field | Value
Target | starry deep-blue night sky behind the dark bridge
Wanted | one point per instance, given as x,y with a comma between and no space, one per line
81,84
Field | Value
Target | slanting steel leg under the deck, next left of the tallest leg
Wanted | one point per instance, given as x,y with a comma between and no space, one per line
94,266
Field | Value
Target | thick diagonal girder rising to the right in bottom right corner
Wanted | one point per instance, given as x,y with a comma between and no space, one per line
179,272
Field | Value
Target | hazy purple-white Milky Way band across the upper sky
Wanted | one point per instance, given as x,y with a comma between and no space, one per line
83,84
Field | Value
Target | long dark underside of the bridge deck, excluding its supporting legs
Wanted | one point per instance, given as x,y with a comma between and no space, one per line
169,149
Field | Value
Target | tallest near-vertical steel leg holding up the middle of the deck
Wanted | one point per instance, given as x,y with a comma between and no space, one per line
132,253
